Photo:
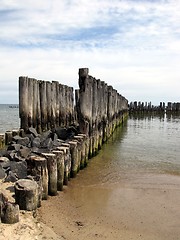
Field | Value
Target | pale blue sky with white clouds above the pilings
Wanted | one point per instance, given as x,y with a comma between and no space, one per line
133,45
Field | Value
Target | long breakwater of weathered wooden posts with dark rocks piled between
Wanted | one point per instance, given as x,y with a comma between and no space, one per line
56,136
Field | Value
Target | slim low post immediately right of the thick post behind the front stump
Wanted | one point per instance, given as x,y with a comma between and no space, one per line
52,173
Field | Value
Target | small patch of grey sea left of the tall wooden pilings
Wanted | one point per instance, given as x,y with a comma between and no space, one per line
9,117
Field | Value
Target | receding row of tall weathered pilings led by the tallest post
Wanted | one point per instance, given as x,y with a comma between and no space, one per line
99,109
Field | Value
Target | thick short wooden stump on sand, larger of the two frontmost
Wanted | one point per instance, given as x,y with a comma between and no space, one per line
26,194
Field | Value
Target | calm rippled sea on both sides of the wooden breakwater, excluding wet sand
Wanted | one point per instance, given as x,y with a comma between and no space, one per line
144,144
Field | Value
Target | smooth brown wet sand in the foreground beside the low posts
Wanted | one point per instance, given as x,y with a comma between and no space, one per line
141,206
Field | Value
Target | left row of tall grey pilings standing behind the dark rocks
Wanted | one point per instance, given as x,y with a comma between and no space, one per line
45,105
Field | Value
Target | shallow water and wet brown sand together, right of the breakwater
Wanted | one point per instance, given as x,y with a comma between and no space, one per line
130,190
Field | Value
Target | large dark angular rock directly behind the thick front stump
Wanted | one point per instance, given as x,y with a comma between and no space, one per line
19,168
